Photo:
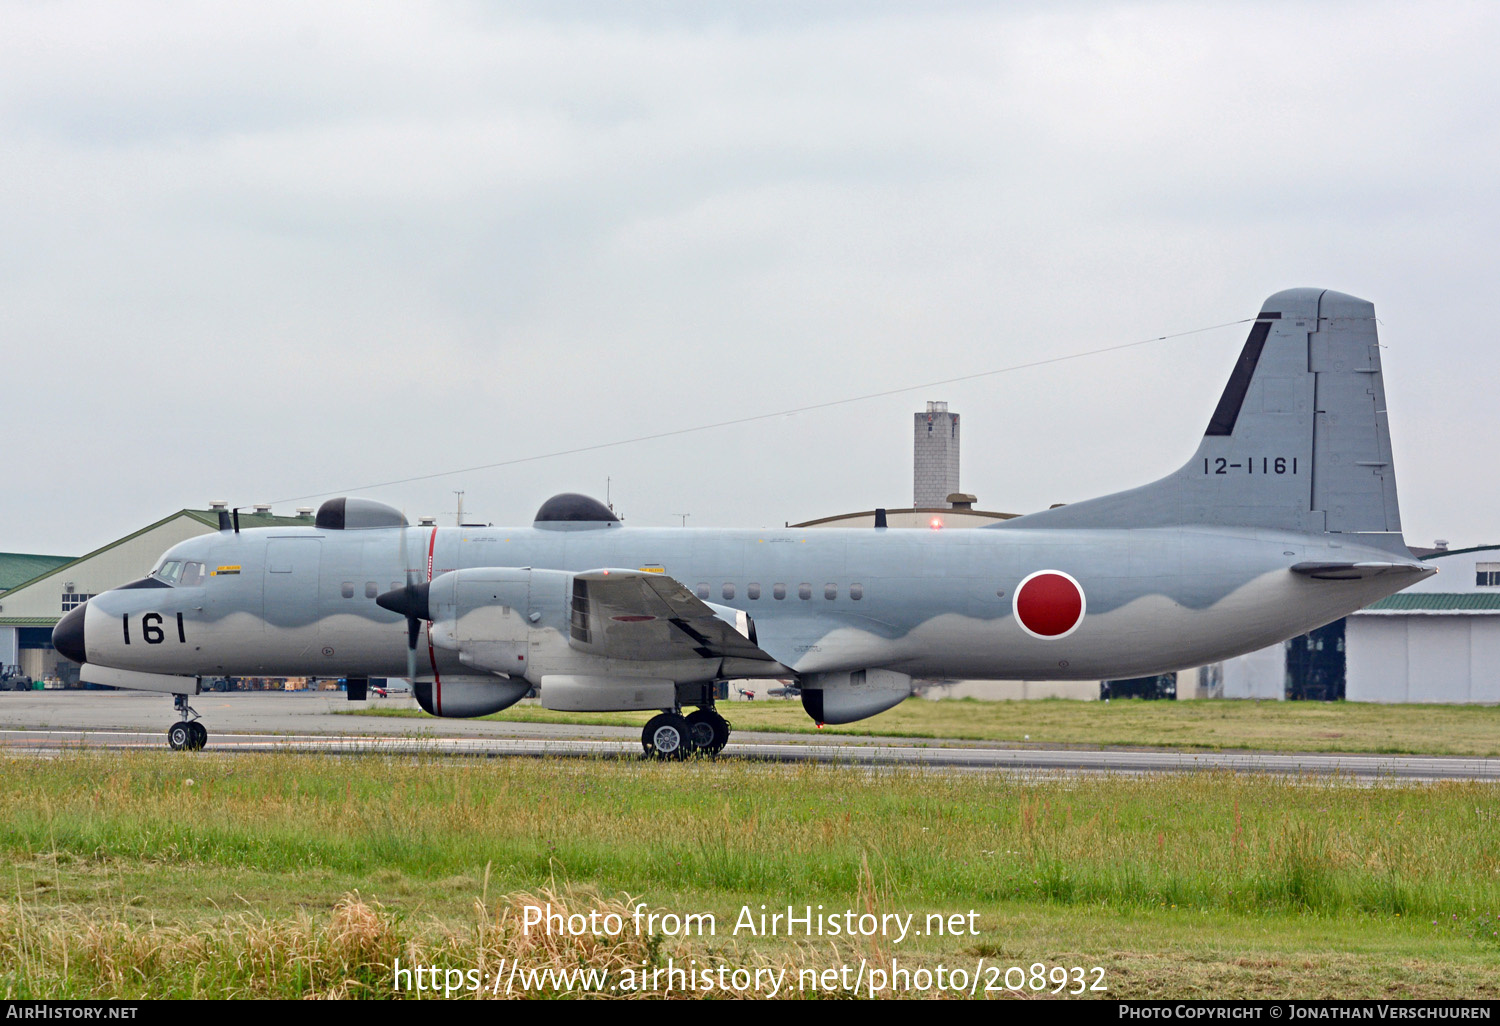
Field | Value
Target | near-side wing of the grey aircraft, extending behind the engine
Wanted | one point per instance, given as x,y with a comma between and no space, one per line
631,614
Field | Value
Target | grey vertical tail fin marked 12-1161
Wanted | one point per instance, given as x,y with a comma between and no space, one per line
1298,442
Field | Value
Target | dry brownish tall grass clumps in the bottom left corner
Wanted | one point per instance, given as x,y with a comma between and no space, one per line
350,953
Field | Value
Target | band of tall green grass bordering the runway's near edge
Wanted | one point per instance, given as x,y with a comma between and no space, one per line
763,833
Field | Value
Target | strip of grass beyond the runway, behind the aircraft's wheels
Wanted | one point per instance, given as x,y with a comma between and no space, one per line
1268,727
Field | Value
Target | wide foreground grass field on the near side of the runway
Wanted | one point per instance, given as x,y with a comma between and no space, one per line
140,875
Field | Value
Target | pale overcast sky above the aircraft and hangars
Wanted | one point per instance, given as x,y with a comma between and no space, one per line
280,250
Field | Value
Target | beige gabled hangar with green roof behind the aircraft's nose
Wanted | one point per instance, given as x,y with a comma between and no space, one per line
38,590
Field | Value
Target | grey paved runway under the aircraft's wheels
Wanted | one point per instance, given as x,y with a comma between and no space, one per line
47,722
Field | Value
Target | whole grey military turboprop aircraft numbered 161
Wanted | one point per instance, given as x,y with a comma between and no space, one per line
1285,520
